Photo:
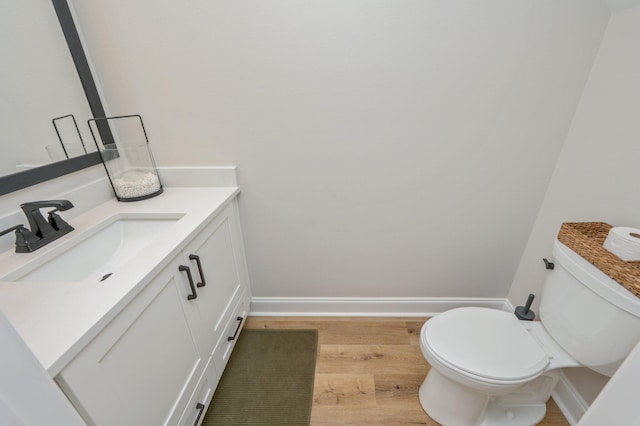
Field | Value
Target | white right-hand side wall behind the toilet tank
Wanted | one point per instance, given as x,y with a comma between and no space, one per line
597,175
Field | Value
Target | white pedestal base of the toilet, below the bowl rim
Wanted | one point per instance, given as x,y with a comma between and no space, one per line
452,404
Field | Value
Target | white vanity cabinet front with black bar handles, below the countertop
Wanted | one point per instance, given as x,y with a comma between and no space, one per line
159,361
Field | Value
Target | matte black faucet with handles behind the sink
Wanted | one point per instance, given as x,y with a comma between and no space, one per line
42,231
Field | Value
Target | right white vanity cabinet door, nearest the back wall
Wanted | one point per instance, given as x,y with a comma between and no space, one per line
214,259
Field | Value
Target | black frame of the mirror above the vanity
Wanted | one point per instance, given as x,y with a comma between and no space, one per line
21,180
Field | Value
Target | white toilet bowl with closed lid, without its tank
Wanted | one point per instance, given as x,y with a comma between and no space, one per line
485,360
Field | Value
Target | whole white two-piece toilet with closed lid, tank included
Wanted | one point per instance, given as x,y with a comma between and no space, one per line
489,368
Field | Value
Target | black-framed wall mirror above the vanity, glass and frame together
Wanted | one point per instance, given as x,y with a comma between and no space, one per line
46,85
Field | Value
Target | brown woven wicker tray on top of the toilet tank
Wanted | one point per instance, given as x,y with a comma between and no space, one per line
586,239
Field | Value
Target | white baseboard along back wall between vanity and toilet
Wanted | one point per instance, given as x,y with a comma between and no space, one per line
364,306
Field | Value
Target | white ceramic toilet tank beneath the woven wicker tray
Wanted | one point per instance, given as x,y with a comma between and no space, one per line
591,316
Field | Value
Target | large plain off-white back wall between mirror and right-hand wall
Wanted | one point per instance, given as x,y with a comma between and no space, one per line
385,148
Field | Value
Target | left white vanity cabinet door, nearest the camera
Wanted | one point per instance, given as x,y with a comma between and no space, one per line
144,366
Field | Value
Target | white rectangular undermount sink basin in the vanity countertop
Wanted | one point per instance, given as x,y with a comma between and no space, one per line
98,252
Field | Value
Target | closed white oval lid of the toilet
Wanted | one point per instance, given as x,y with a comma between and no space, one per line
485,342
